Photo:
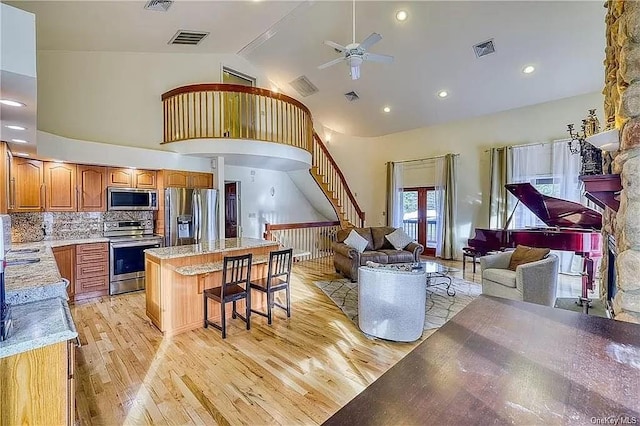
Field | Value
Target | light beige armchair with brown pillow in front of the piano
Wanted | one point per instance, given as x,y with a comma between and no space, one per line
534,282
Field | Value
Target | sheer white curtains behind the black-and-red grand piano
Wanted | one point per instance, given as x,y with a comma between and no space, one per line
554,171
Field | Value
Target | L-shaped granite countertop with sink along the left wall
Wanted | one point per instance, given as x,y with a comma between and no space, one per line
29,282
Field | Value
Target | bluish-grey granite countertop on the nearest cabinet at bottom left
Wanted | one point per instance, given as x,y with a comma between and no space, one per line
38,324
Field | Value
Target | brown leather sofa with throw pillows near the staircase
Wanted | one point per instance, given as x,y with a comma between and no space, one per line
347,260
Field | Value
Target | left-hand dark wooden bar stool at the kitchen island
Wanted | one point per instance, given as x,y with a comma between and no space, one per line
236,278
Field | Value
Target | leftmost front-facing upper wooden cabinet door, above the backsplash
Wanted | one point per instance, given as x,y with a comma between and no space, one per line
26,185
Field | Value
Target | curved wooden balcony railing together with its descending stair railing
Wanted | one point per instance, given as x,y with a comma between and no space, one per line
231,111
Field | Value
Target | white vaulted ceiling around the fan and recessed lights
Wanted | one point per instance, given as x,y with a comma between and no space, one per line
432,49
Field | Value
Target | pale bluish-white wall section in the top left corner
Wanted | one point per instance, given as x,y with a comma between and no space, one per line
17,41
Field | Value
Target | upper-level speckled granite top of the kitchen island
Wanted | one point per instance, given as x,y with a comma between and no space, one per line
217,246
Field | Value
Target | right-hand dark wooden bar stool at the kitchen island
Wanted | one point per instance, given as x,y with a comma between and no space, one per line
278,278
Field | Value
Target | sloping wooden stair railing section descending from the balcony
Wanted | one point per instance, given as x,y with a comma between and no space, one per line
330,179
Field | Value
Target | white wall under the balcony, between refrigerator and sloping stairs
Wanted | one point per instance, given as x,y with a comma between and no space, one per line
258,206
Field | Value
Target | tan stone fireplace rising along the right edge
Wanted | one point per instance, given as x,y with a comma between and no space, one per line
622,111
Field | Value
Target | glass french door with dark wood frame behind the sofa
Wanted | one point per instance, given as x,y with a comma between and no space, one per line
421,216
